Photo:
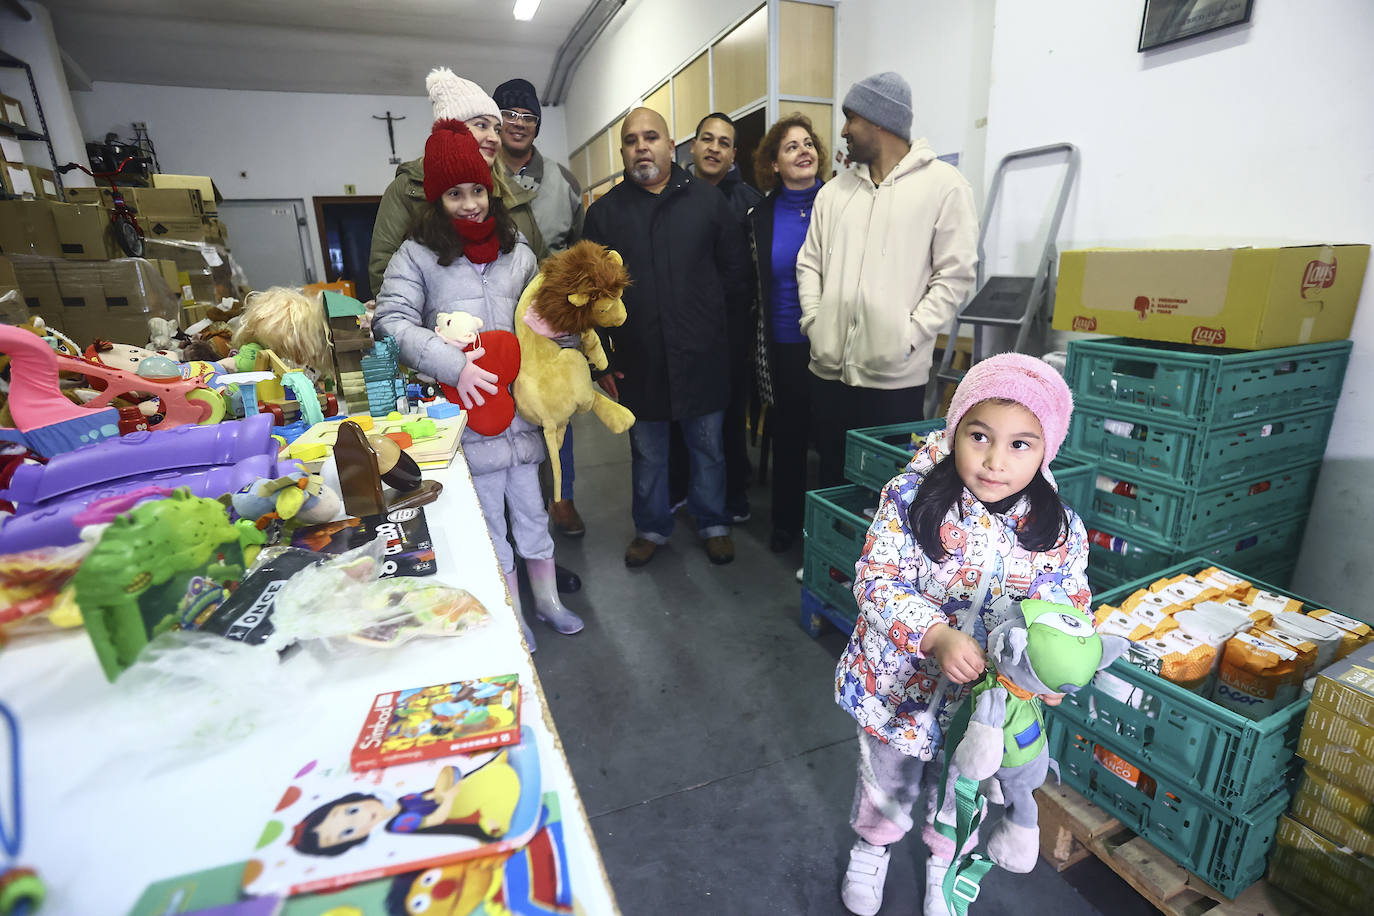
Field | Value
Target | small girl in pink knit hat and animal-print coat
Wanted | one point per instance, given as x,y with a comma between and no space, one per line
968,531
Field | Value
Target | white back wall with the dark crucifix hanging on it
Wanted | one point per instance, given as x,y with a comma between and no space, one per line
277,145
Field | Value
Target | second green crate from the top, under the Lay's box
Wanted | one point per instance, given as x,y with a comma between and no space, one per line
1180,454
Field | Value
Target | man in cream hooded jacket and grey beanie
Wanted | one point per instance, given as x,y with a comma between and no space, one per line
888,259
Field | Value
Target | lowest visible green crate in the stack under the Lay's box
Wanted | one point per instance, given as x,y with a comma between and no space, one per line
1254,551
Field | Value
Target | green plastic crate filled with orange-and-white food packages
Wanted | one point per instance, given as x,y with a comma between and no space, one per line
1233,760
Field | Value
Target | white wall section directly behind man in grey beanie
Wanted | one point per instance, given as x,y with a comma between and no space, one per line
943,50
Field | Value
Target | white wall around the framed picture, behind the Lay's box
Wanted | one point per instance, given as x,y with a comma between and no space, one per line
1255,135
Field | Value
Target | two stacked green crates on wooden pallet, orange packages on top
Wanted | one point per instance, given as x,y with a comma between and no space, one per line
1202,783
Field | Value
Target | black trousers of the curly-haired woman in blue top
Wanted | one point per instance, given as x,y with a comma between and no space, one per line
789,424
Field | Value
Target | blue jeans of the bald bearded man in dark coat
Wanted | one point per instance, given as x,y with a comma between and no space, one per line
707,487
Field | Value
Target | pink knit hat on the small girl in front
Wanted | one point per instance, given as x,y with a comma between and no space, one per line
1030,382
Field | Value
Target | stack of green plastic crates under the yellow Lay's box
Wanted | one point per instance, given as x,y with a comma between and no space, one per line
1200,453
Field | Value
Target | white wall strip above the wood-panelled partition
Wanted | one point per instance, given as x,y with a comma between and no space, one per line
646,42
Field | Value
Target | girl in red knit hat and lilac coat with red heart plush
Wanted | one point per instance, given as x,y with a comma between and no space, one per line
465,256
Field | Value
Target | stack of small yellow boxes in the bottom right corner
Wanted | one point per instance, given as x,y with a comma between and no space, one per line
1325,847
